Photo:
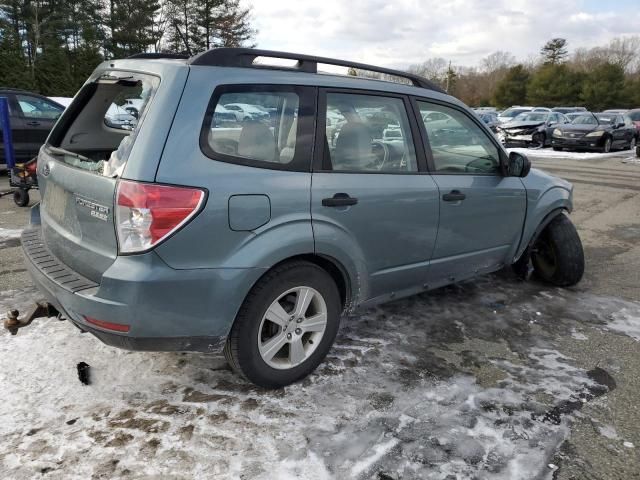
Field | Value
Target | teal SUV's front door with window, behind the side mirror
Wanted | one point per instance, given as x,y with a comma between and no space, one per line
481,211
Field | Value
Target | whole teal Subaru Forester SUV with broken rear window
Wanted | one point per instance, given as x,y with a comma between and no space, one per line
187,226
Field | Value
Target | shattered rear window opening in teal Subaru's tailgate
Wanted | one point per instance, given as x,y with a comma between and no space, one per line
99,128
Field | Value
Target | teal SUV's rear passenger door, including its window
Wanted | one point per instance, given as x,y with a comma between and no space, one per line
369,197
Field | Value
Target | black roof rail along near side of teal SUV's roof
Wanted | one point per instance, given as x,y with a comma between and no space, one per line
244,57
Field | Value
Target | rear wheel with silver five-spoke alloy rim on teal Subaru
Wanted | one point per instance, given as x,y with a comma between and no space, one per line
299,347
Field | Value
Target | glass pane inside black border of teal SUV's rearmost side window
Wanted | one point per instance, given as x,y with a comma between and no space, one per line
258,126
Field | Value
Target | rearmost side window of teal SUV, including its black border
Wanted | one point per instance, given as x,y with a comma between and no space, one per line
259,125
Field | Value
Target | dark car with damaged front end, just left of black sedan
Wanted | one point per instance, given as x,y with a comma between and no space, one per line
530,129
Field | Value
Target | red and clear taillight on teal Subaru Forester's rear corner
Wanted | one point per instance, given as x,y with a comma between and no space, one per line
147,213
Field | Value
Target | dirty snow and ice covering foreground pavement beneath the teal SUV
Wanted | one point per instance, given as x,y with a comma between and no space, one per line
464,381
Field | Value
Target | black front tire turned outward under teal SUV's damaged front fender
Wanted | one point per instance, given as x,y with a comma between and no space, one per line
557,255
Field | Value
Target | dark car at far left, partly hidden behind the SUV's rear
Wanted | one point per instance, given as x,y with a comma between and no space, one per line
32,116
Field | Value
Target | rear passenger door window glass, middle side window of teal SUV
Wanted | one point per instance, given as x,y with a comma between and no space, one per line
368,133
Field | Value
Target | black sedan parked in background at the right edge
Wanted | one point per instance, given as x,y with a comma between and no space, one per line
596,131
